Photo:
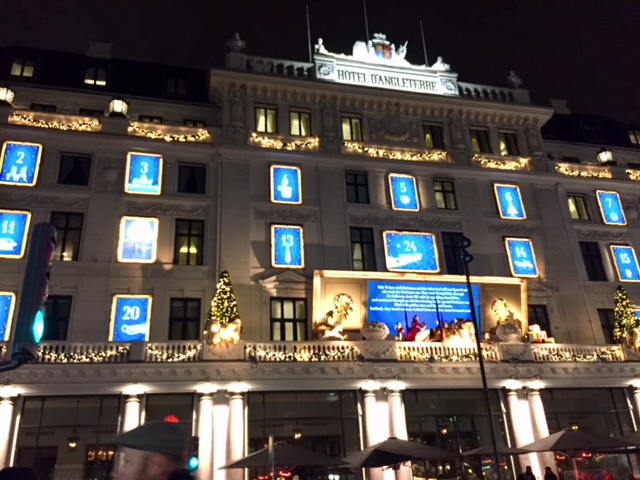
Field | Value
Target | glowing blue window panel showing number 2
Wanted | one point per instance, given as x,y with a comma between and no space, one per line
19,163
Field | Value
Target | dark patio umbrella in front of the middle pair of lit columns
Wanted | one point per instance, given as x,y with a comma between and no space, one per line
393,451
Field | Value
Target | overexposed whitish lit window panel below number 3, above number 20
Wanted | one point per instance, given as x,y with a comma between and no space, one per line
138,240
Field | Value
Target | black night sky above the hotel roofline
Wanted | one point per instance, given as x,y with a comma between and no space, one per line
584,51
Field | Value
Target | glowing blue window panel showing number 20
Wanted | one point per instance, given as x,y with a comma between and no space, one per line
130,318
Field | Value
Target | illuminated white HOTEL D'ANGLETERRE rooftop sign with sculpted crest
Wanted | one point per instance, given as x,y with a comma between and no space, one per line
377,63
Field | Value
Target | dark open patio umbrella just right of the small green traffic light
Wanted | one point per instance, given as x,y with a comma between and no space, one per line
285,456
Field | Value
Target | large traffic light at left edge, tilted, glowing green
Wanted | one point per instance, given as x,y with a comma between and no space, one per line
35,290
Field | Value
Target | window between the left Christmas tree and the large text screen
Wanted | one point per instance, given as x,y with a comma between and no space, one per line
288,319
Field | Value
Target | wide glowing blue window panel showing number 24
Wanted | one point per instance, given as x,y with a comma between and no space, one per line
410,252
